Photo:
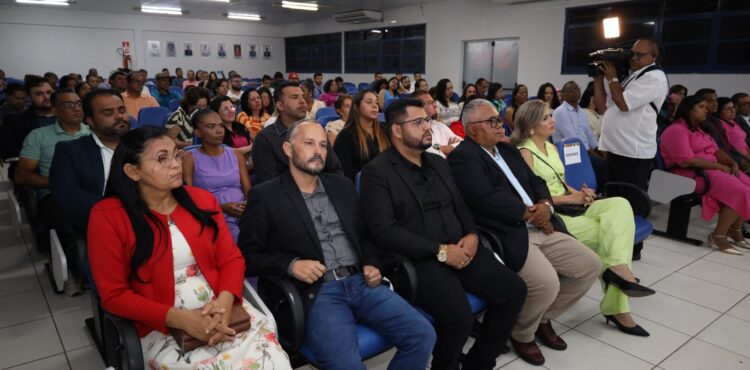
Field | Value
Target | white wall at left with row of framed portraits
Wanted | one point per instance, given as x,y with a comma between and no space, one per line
36,40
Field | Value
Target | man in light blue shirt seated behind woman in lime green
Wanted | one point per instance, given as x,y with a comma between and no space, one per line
570,120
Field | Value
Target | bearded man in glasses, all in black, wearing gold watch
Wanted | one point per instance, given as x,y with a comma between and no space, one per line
412,207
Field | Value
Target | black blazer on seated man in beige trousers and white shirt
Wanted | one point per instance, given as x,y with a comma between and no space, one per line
492,199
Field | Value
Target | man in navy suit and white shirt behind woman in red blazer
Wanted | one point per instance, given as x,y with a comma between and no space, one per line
80,167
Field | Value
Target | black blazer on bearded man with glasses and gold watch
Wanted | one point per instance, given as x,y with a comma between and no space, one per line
392,210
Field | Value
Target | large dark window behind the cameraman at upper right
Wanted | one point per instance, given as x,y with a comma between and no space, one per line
704,36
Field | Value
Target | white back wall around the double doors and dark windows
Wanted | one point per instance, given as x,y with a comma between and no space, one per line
538,26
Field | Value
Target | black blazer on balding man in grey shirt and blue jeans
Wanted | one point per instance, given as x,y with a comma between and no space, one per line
276,228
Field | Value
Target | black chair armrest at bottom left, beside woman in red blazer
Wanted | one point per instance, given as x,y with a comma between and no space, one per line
128,353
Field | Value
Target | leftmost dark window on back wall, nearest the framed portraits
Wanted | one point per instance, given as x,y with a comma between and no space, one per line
316,53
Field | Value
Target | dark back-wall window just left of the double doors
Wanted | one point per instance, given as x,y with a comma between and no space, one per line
388,50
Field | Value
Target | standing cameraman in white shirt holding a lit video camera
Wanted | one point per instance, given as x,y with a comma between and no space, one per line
629,122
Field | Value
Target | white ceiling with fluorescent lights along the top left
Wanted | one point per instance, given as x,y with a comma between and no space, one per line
270,9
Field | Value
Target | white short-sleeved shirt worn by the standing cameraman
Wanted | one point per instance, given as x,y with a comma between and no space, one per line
633,133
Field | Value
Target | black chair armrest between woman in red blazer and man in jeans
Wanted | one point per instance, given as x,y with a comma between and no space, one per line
285,302
